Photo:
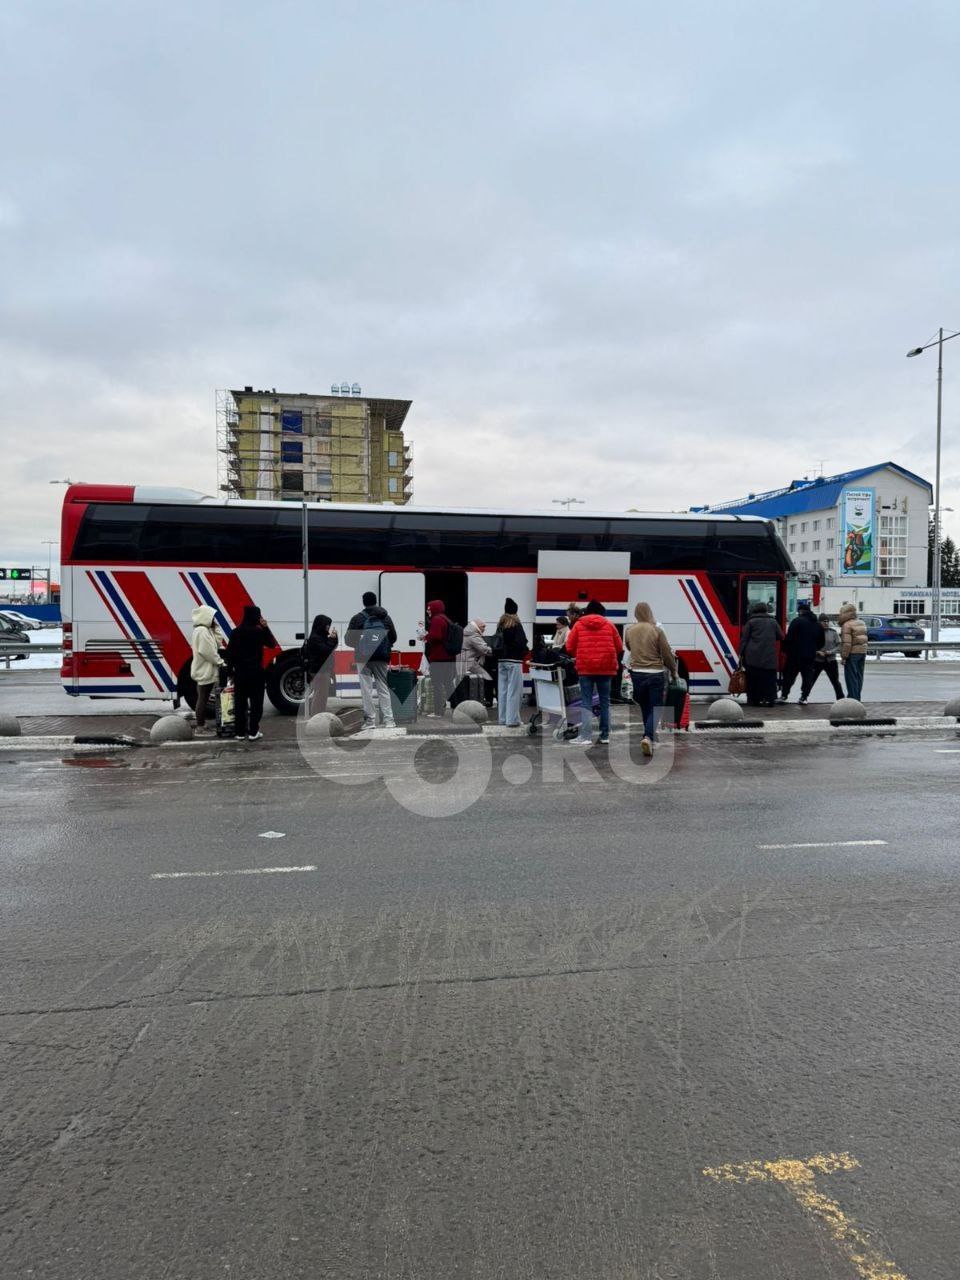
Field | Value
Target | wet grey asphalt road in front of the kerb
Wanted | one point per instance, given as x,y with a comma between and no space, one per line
504,1044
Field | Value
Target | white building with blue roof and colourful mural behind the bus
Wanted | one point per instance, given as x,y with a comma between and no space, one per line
863,532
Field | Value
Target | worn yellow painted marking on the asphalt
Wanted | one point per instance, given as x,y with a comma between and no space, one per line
799,1177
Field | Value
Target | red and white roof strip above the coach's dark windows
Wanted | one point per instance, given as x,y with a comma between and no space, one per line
157,495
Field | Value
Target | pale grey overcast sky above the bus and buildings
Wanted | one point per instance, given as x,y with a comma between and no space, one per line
643,255
